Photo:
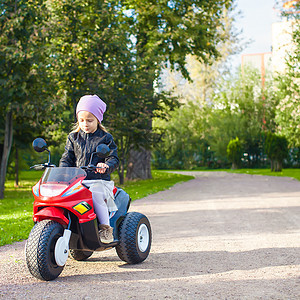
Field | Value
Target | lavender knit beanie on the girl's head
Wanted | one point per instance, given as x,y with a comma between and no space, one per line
92,104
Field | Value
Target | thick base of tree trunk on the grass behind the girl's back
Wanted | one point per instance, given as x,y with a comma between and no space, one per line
139,164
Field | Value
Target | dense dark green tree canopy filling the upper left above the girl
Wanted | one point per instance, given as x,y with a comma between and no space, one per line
53,52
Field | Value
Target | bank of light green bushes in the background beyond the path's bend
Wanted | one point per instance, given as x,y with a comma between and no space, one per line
197,134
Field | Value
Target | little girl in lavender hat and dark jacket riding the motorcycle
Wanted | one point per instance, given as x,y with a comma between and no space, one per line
81,143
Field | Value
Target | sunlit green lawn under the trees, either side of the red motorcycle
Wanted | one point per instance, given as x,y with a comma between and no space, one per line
16,207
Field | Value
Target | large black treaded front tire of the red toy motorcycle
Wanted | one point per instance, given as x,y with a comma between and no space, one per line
40,247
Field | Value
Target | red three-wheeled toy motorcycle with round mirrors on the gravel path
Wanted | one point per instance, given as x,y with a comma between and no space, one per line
65,222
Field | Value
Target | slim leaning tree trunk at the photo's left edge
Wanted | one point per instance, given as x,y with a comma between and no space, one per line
6,150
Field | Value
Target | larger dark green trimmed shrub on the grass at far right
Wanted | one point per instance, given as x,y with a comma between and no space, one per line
277,150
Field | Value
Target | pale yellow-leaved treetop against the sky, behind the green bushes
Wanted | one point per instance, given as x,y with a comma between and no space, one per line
205,75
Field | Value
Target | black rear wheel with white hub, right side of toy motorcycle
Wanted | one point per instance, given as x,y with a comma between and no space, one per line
135,237
